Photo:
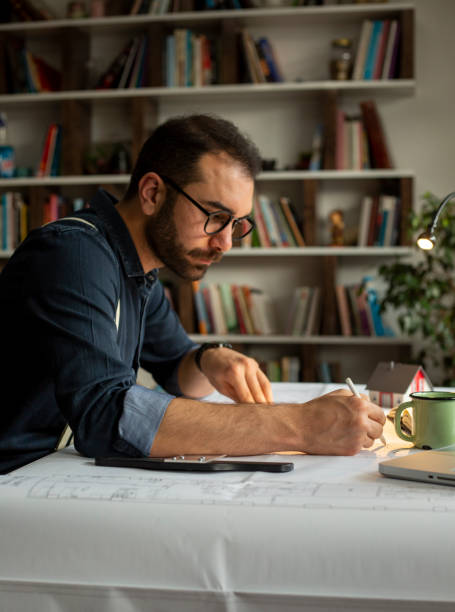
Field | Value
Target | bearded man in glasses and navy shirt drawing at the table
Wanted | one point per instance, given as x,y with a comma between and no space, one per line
82,309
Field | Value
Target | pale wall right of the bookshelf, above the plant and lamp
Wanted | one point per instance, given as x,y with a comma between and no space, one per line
422,128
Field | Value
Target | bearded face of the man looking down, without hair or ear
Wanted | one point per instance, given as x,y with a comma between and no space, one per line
176,234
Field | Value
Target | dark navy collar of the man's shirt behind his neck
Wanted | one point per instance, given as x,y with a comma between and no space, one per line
104,205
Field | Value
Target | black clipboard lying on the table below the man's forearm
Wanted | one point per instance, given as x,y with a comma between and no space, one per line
199,464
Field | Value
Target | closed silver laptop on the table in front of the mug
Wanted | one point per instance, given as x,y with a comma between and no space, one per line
432,466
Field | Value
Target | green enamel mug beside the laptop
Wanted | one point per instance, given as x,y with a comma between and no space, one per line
433,417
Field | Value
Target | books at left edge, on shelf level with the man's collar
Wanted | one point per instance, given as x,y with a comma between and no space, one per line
14,220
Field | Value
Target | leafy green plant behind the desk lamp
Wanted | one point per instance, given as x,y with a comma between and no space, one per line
423,293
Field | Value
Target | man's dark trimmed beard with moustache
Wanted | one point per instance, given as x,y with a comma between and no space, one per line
162,238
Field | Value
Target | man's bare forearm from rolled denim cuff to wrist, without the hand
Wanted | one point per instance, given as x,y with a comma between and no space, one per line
193,427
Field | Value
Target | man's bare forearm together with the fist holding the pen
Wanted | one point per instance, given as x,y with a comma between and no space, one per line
335,424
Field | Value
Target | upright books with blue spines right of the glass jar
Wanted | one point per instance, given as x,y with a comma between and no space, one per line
377,51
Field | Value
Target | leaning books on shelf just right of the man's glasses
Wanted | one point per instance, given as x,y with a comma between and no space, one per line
277,224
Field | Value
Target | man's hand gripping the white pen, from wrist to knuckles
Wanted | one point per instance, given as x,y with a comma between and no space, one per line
339,423
